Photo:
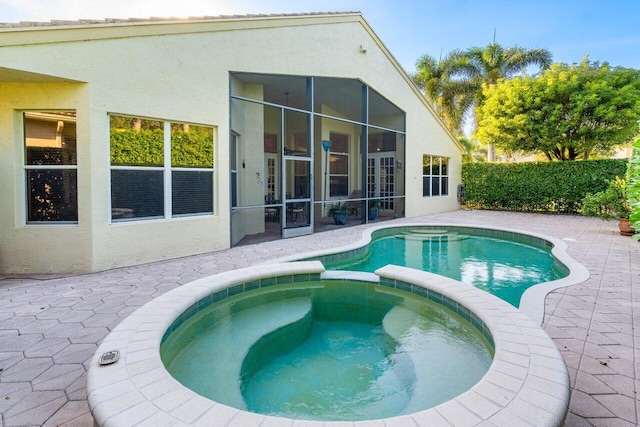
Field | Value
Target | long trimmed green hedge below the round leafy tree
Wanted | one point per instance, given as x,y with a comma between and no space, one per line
536,187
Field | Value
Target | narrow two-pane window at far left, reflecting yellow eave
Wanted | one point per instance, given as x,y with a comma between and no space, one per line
50,165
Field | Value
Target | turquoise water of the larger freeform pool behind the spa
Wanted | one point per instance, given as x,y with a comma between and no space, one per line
504,264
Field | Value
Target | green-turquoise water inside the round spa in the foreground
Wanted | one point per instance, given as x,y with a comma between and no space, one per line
327,350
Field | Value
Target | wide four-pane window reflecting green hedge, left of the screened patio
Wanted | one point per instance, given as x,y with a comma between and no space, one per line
160,169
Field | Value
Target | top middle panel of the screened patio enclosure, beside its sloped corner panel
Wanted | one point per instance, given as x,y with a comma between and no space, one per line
338,97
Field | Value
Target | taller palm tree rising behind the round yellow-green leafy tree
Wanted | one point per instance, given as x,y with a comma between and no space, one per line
479,66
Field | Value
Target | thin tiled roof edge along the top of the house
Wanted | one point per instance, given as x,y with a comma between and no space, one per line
107,21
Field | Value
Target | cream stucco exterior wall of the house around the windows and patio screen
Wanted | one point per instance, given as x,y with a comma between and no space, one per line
175,71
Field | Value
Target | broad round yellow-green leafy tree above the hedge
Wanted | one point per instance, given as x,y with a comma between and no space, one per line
569,111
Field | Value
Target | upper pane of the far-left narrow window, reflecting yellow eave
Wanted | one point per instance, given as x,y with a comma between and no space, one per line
50,138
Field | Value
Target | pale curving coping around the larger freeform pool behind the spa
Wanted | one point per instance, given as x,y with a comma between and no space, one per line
532,300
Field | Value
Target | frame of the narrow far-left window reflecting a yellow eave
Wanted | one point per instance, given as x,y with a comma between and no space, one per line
48,167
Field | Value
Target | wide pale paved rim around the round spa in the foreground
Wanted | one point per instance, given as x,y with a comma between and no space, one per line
527,382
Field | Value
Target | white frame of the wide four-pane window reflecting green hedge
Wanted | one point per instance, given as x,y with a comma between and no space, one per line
166,169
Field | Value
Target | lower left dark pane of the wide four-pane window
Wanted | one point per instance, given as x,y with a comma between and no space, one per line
136,194
